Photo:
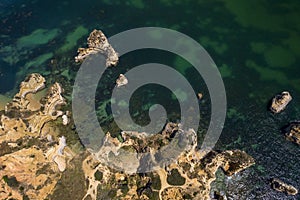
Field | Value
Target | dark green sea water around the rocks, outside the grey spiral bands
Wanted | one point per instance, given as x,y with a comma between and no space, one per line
255,46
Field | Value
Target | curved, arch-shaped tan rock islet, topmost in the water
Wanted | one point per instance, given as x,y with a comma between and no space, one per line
98,43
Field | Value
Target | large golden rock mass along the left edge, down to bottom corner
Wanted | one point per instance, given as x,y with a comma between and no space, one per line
29,162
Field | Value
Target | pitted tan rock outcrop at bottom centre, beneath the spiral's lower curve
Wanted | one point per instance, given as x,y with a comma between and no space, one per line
189,176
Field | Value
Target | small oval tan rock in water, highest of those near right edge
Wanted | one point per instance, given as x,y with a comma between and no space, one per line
280,101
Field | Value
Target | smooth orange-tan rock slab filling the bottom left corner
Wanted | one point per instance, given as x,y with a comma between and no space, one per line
24,169
